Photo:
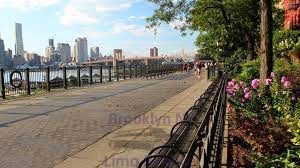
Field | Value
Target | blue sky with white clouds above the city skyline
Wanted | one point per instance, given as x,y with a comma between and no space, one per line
108,24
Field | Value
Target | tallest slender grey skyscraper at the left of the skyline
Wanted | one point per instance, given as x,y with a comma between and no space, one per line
19,46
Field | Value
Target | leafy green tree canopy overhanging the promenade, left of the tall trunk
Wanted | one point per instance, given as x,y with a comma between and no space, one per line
224,25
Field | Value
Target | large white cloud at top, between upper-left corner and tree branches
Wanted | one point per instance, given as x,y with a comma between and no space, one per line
92,11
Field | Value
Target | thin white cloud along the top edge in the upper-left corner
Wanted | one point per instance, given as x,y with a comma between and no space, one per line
27,4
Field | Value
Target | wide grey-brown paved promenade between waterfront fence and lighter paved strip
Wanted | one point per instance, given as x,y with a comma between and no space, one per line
43,131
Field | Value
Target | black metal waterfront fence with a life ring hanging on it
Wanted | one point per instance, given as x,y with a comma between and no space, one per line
15,82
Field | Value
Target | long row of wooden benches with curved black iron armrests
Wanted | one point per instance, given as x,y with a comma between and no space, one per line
197,140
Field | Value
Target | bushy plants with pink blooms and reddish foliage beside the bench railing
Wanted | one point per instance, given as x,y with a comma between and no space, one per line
268,114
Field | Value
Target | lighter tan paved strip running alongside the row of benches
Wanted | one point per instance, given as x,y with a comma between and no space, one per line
130,144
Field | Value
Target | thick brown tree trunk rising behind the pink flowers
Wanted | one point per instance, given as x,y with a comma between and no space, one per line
266,47
